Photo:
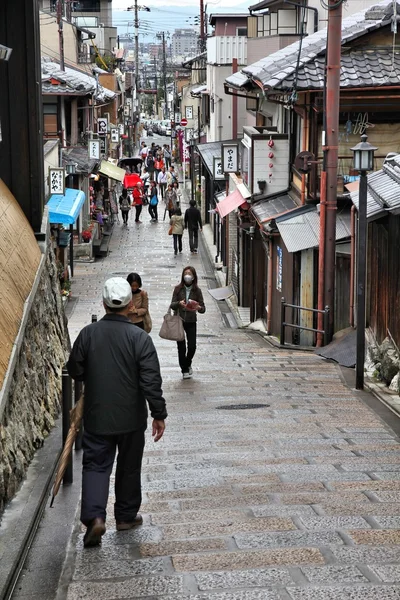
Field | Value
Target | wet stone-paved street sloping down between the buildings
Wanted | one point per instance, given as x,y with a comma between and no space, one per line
295,499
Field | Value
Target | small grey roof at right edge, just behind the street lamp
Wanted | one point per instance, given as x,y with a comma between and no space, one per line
383,189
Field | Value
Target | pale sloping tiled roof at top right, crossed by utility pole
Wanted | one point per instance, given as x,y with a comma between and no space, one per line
272,70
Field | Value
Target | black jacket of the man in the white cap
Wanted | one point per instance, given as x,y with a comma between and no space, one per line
118,363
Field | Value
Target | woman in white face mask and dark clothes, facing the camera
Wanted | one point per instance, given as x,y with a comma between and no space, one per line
187,301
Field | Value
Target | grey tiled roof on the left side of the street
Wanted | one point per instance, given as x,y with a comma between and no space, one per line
71,82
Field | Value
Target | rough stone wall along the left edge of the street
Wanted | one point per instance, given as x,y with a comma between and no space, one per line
32,400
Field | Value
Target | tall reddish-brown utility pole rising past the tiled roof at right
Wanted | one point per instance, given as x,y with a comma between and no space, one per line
330,140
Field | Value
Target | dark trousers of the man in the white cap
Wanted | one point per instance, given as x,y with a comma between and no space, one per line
98,459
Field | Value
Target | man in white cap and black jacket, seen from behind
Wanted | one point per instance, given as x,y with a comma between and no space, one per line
119,366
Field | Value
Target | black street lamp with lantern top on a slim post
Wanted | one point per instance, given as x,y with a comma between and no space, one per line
363,162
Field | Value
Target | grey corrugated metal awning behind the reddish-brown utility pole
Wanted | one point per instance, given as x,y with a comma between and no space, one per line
300,229
